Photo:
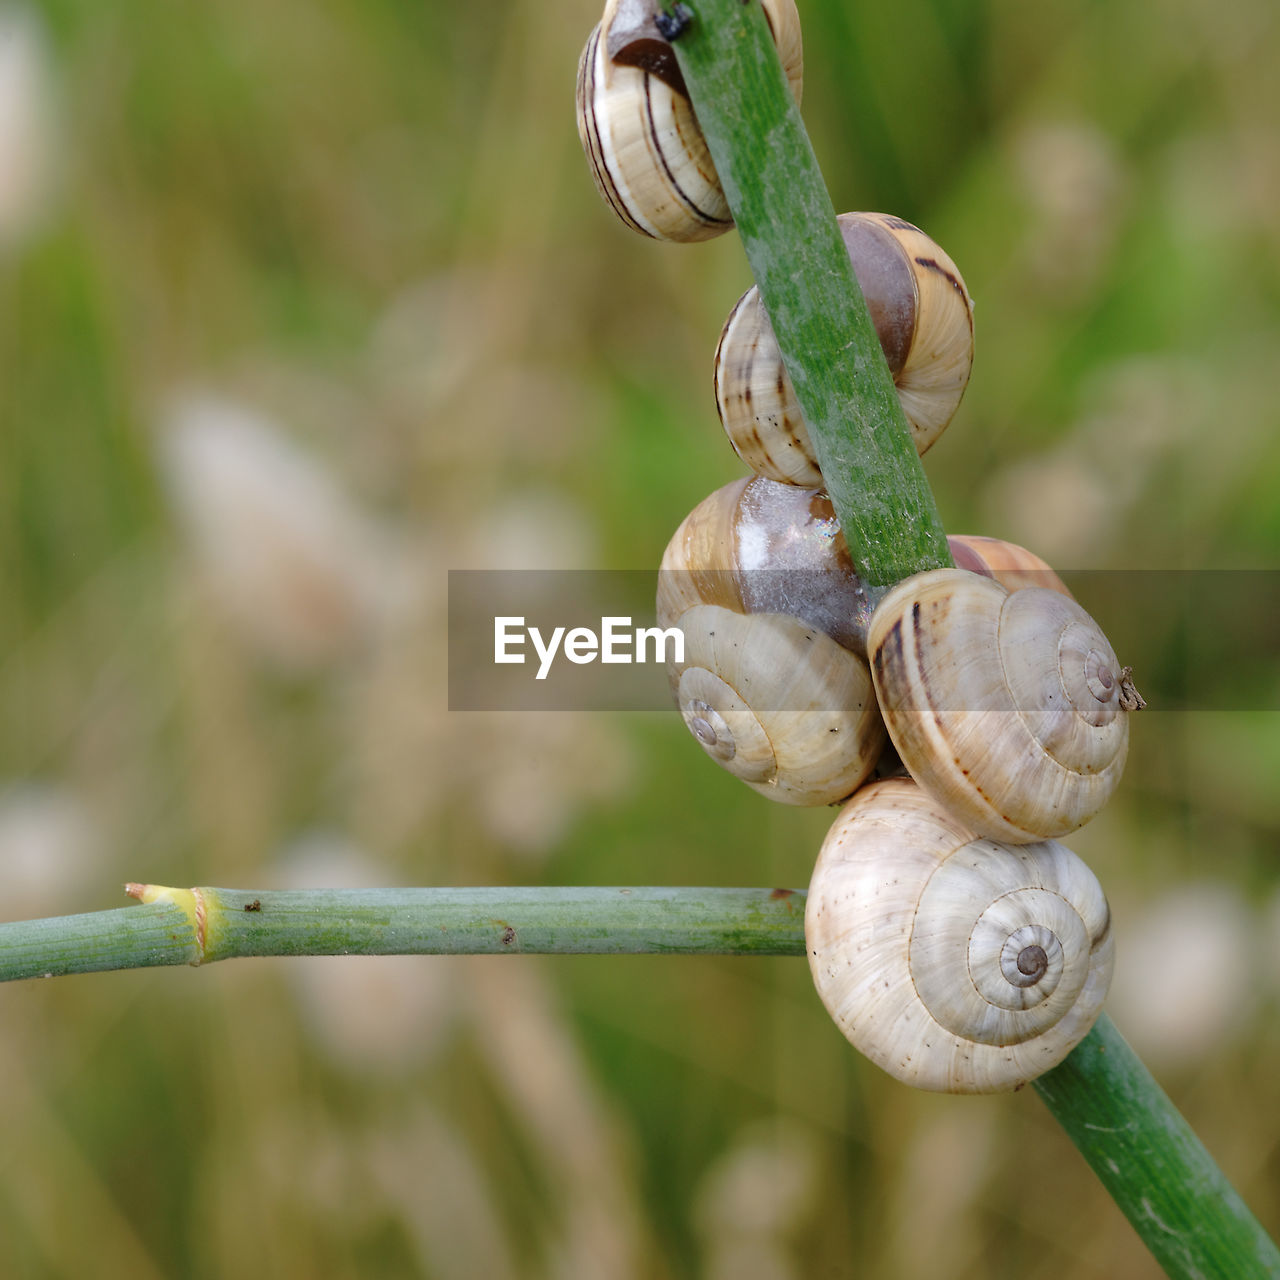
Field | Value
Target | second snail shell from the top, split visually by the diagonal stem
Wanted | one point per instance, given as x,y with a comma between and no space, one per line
925,321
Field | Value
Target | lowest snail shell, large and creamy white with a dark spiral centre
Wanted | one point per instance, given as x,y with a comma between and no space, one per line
957,964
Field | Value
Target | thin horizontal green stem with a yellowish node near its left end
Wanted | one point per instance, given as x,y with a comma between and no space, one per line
200,926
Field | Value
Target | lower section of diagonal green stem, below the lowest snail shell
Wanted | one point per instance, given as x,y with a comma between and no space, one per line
1153,1164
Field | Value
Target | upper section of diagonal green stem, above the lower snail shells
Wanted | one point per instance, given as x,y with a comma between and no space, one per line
794,246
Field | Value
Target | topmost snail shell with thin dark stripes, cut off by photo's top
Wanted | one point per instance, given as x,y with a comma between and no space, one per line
642,139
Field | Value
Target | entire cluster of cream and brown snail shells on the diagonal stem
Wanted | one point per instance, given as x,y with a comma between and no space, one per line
954,941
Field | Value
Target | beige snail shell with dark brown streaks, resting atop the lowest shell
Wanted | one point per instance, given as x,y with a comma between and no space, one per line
1007,706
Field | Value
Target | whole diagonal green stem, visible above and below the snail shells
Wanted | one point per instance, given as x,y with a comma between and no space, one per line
1148,1156
